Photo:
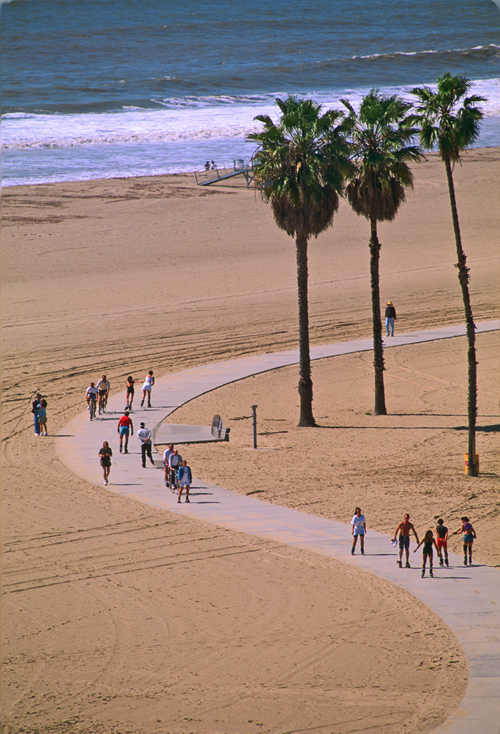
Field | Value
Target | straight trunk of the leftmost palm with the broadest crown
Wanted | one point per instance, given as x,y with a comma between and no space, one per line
305,382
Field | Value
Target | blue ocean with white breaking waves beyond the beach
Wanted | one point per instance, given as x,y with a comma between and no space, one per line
118,88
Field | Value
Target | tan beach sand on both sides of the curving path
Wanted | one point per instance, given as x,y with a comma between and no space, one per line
122,618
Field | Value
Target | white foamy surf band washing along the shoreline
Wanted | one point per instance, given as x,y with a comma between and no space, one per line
178,137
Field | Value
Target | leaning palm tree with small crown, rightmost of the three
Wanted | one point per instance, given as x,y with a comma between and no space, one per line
449,121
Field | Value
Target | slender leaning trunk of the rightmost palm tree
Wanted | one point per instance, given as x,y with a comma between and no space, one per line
463,277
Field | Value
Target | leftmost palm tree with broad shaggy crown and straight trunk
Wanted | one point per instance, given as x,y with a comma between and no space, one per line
299,166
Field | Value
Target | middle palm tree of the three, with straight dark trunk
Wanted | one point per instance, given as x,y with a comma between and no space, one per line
381,139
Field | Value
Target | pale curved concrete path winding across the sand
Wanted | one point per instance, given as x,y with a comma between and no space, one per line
467,598
